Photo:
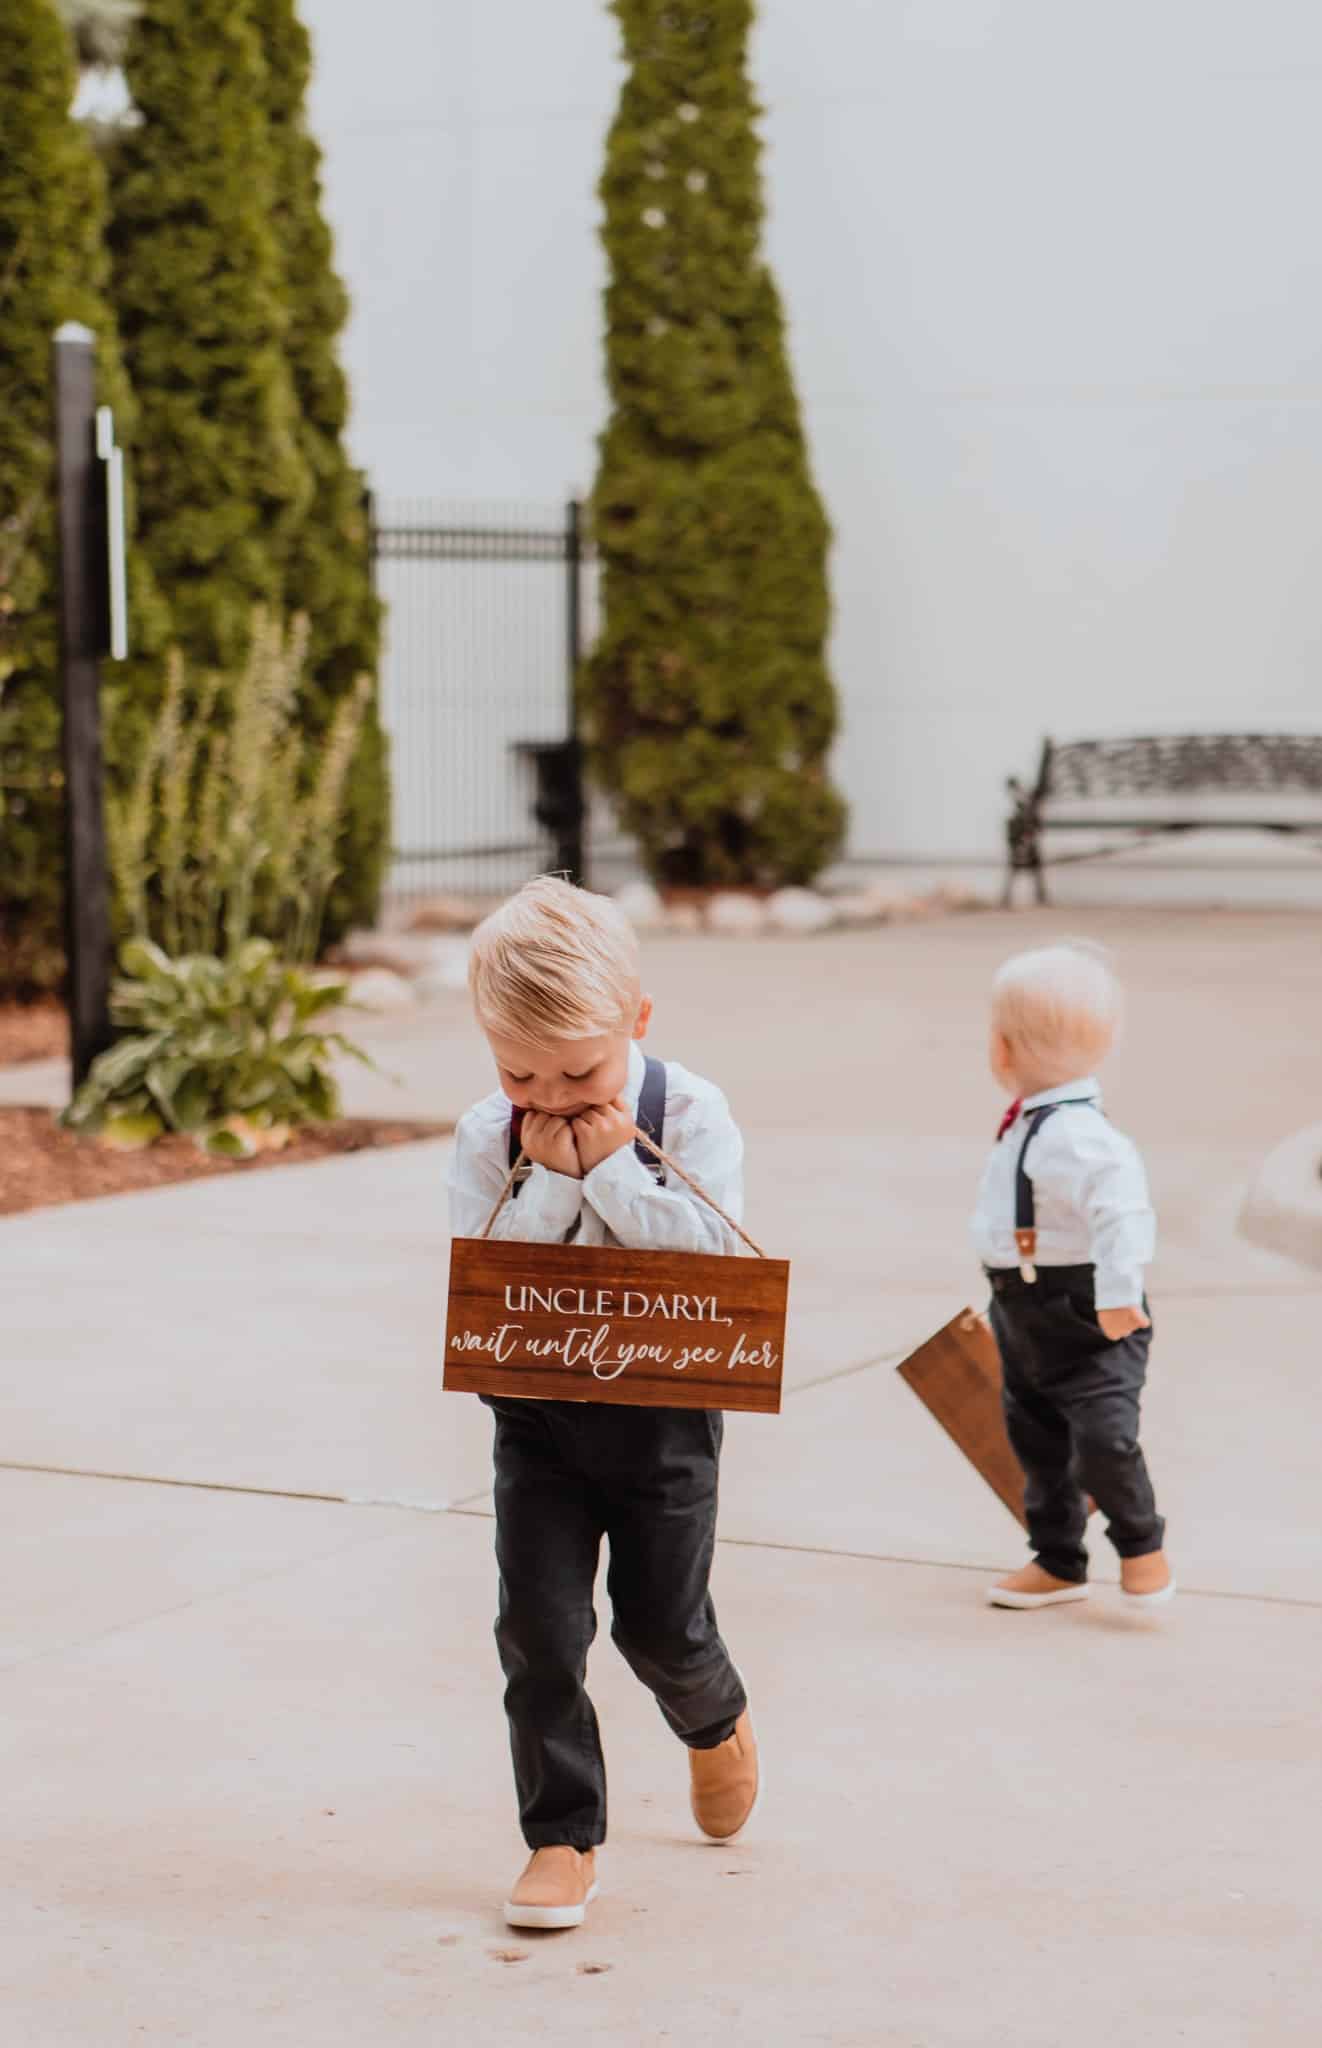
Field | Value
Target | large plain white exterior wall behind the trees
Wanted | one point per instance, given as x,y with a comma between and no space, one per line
1055,292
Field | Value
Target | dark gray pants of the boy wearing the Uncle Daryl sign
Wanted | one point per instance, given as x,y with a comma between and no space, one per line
566,1476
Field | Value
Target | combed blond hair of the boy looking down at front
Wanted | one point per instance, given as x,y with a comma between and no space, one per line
556,964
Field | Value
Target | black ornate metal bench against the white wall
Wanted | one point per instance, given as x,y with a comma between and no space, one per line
1129,792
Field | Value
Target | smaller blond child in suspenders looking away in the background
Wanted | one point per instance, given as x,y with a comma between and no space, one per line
1065,1232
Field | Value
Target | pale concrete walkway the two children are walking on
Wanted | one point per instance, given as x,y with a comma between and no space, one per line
257,1768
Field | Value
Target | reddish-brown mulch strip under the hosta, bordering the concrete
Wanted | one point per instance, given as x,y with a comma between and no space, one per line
42,1164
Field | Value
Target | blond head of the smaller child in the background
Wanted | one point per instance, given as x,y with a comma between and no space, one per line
1061,1007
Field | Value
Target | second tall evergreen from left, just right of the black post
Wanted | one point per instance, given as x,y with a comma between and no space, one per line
200,290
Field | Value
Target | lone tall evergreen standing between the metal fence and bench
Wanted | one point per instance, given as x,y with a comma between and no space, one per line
709,708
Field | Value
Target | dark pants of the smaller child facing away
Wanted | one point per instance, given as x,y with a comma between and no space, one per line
1071,1410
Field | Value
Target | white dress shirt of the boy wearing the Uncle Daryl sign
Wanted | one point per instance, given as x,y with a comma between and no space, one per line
619,1203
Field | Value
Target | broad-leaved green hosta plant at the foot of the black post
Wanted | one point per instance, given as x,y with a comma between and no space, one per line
232,1052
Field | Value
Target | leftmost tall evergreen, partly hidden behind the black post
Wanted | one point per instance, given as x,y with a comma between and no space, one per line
52,269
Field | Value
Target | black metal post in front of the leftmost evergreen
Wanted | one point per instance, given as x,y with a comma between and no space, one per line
83,634
